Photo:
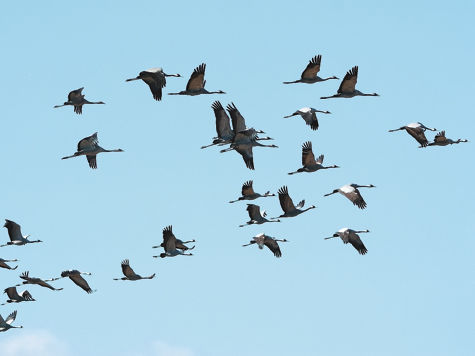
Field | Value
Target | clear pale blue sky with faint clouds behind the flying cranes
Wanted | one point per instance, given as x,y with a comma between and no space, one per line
412,294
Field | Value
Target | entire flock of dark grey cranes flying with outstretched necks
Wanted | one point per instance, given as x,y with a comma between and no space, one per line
232,132
